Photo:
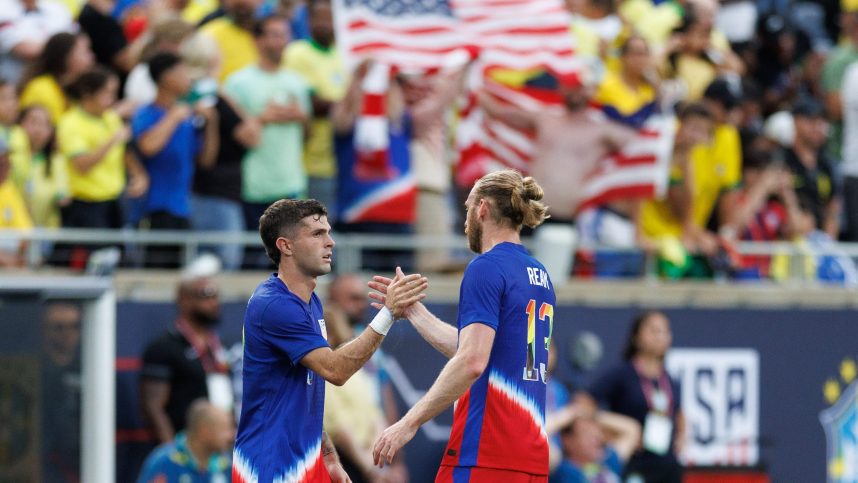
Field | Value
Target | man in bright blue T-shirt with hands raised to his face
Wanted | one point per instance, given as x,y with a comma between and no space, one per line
171,135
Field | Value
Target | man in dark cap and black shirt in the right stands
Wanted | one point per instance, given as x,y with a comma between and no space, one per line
812,169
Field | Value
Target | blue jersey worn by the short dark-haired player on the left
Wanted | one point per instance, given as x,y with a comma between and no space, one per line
280,430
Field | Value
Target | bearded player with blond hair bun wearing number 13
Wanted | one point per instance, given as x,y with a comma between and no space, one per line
498,351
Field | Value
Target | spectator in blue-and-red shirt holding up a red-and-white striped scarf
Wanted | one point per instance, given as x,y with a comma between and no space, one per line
376,189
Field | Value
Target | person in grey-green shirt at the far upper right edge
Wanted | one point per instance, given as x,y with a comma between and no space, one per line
834,70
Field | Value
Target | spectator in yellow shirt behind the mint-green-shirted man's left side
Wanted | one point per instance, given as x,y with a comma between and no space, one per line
233,33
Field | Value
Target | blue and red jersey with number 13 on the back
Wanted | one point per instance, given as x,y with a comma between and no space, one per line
500,422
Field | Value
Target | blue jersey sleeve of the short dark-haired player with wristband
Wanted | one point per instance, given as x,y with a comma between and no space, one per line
289,330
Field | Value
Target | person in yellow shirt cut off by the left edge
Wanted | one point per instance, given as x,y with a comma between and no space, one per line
13,212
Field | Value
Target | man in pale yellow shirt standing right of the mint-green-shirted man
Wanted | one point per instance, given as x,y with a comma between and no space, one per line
318,61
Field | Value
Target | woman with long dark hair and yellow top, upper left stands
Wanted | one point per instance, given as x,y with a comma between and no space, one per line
64,58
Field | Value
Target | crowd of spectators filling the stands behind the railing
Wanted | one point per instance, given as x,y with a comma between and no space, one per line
196,116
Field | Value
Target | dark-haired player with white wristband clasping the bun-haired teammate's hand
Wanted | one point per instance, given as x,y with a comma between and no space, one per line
287,357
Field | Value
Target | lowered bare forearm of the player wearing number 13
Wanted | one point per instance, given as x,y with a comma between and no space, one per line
456,377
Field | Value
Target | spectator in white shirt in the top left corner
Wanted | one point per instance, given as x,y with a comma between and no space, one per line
24,28
